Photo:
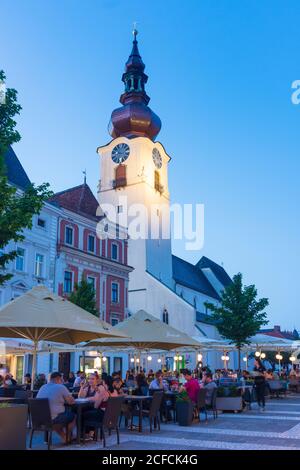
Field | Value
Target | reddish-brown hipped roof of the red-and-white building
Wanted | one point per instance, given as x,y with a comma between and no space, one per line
78,199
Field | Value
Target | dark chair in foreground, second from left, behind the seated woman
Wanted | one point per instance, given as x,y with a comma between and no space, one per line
110,419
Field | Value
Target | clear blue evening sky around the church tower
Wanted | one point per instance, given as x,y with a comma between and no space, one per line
220,75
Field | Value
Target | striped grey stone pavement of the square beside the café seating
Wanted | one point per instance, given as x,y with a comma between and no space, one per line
276,428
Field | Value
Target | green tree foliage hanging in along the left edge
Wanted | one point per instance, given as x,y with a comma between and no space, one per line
16,207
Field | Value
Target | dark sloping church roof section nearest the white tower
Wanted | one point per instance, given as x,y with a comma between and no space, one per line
191,276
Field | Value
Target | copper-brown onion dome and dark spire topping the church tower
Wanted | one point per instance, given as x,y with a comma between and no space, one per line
134,118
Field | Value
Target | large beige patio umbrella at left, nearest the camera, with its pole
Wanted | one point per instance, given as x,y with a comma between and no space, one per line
42,315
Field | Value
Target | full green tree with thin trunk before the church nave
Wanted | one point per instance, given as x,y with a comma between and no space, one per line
240,314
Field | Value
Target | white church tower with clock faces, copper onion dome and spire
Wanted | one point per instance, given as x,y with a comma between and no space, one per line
134,180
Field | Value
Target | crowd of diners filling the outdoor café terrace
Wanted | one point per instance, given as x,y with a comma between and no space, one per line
97,389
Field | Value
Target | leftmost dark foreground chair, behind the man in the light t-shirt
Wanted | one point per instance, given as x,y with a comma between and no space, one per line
41,419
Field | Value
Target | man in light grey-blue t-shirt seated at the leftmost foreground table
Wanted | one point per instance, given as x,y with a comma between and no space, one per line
58,396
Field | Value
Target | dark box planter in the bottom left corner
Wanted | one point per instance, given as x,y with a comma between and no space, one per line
13,427
